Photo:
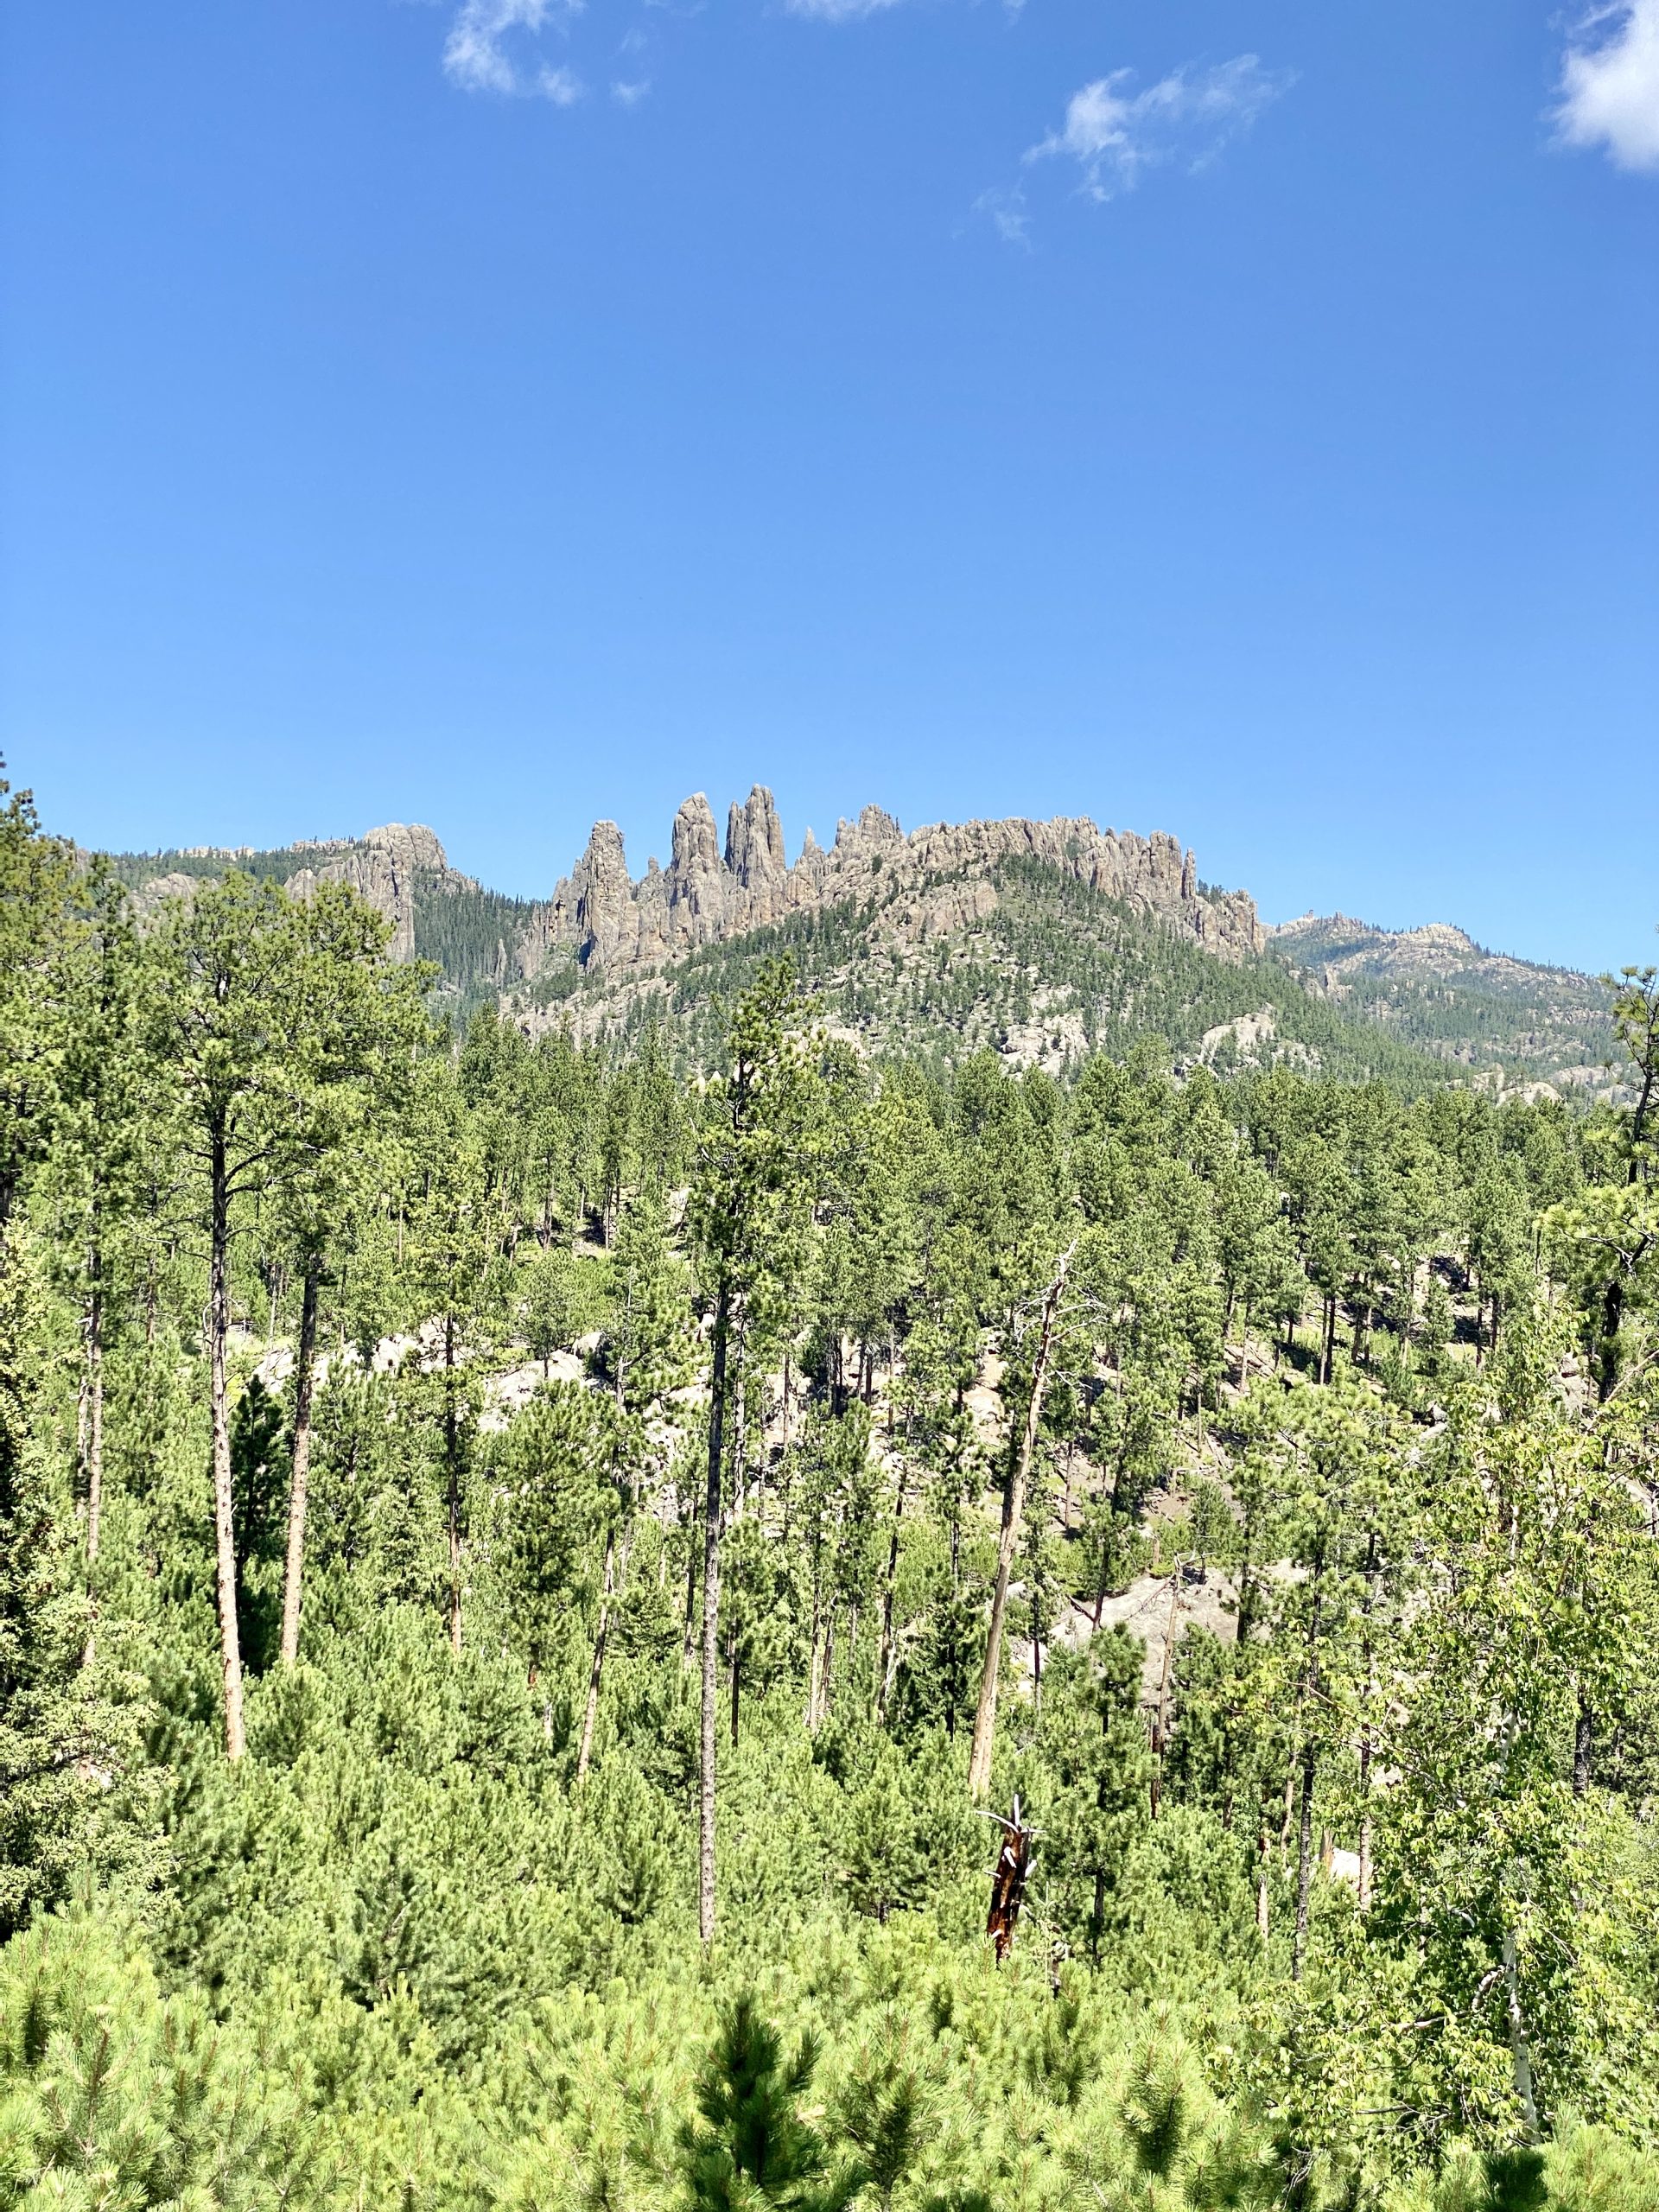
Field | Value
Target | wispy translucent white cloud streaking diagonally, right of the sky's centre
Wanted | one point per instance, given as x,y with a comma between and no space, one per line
1185,118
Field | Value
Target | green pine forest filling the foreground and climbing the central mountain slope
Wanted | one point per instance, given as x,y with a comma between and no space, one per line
718,1614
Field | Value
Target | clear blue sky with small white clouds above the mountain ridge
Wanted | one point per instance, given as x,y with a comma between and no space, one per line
1220,417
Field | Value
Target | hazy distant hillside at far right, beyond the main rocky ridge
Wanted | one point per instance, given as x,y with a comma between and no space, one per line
1441,992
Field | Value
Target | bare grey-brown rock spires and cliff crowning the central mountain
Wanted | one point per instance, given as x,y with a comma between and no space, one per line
930,884
